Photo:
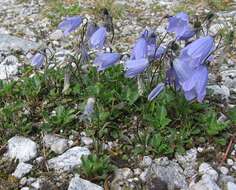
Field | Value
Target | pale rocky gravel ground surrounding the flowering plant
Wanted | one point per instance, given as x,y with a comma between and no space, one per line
25,26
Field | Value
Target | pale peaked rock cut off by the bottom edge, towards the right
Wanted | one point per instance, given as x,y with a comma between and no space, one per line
206,183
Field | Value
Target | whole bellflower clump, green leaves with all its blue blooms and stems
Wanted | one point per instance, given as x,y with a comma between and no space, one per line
150,95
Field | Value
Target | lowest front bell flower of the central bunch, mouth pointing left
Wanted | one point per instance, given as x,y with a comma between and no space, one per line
135,67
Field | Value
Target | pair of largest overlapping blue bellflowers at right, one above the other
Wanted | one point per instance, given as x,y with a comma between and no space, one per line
190,69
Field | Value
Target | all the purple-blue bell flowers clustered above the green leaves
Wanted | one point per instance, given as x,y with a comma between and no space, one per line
186,69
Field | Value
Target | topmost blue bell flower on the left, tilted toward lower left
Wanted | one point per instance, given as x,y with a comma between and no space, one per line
70,24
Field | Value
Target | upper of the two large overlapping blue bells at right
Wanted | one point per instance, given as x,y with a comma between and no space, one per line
197,52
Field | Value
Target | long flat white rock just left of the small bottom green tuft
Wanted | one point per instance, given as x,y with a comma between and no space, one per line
68,160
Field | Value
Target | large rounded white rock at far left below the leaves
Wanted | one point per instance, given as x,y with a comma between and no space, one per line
21,148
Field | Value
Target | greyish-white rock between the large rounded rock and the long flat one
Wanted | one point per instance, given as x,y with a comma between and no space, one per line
55,143
